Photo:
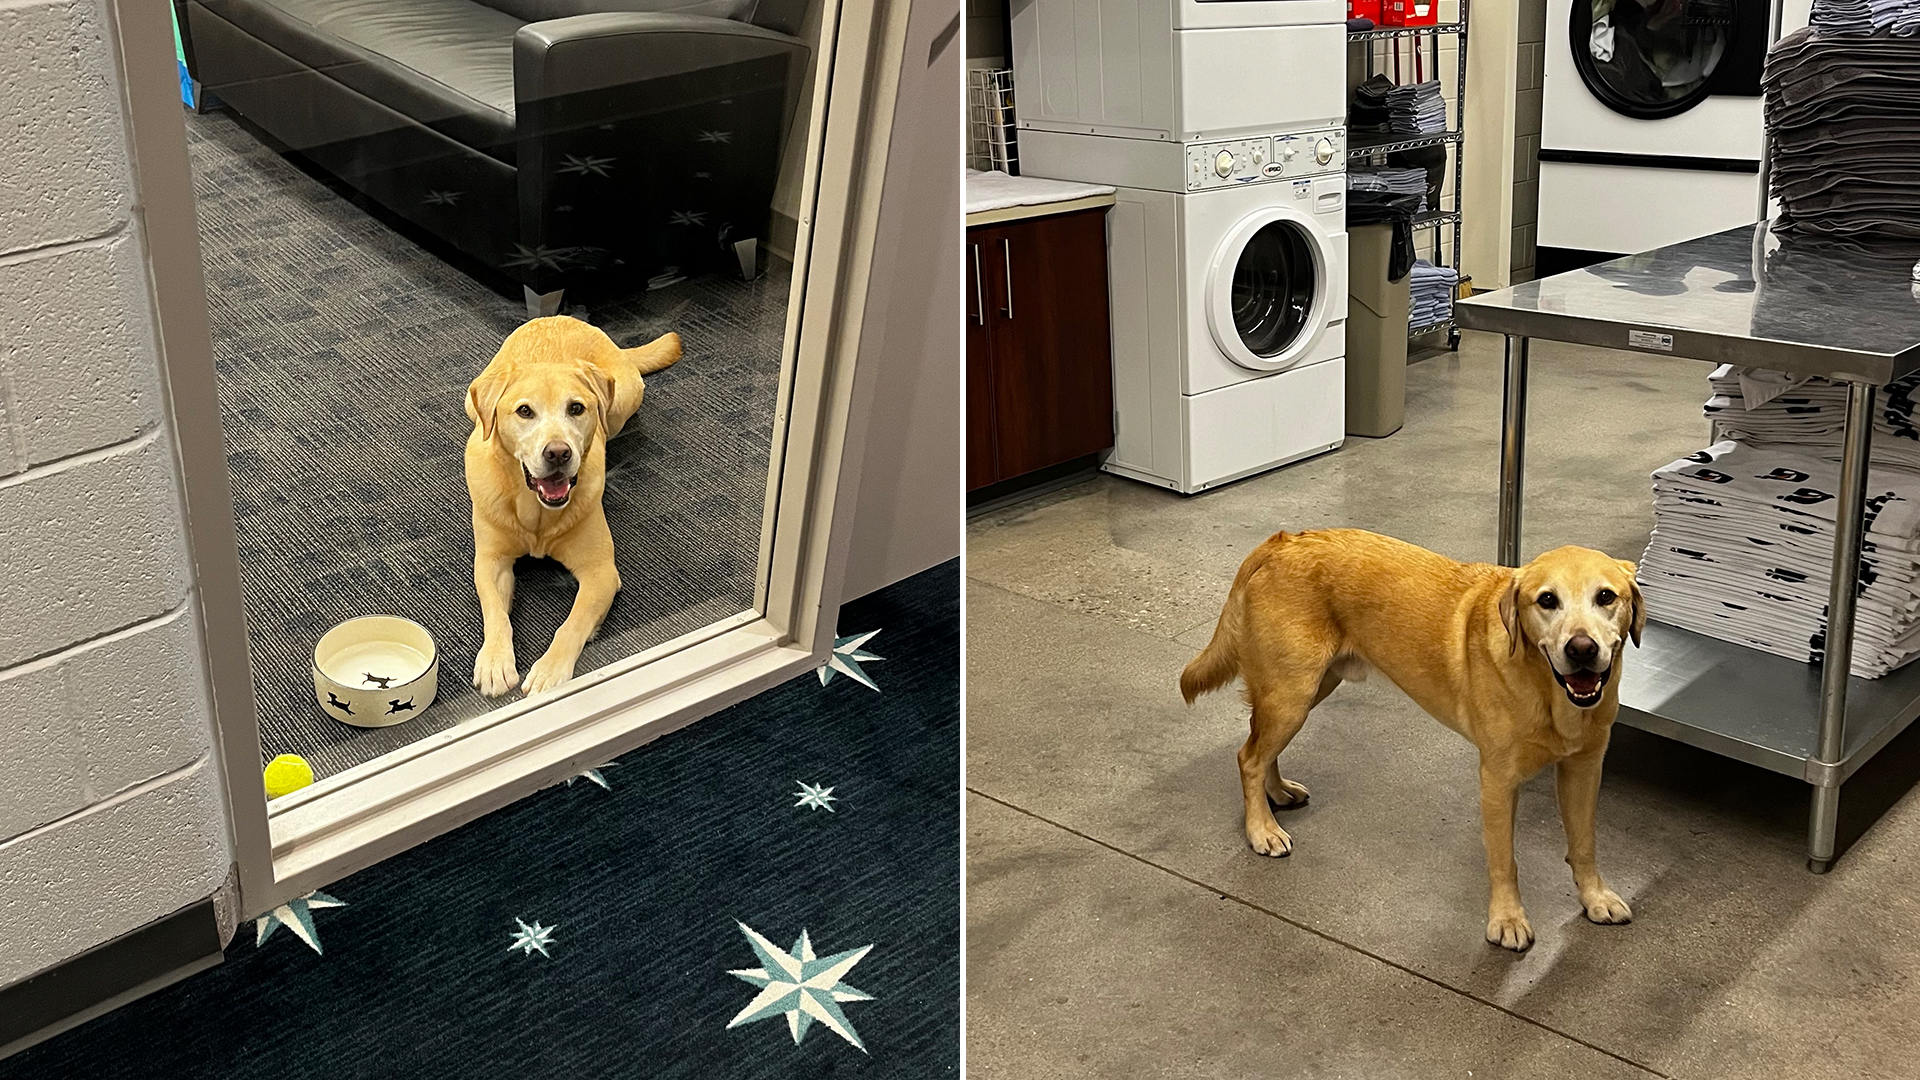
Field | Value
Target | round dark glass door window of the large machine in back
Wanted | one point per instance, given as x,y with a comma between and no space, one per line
1650,59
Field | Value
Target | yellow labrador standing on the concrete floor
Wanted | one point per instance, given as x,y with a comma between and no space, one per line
1522,662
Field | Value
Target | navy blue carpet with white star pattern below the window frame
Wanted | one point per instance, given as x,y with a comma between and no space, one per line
646,887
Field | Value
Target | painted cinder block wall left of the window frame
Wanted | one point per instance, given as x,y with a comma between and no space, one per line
110,798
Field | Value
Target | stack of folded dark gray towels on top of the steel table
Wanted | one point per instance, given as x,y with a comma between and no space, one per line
1844,124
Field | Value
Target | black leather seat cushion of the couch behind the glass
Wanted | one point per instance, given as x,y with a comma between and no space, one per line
446,64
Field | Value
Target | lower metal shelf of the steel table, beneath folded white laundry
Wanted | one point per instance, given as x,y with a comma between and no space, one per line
1754,706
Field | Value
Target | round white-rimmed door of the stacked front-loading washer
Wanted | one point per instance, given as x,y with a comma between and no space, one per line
1268,289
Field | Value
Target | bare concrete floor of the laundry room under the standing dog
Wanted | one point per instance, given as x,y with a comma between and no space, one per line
1118,925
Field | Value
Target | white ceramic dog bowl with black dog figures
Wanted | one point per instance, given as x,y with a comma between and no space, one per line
375,672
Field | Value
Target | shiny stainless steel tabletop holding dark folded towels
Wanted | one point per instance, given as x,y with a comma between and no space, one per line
1788,303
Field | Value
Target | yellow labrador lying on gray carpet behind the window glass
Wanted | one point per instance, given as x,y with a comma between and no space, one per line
537,466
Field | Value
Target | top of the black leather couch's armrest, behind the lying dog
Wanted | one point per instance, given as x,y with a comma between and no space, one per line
594,53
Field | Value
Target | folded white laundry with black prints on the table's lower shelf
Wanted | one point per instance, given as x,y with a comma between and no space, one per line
1742,551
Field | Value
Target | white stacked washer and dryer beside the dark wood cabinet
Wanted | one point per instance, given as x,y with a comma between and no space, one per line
1224,128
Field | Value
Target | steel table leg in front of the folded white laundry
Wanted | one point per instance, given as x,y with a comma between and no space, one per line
1850,529
